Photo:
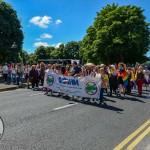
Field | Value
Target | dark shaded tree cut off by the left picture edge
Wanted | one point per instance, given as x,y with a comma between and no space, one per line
10,32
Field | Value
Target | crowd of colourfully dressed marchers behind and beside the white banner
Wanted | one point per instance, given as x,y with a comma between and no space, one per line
119,79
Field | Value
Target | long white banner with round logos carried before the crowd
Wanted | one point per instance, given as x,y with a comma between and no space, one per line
87,87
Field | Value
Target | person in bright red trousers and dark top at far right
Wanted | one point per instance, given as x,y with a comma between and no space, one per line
140,79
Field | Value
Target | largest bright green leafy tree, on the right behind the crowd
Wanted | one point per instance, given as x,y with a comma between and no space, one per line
117,34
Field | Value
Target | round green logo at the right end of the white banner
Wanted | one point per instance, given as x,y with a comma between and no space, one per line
91,88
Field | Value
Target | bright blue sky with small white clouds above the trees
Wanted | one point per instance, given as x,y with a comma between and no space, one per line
51,22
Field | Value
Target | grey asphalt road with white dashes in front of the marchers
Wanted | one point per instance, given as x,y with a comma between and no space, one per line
34,121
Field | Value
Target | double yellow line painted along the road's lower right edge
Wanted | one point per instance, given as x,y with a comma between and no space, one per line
145,127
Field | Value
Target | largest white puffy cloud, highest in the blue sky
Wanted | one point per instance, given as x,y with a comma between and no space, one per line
41,21
